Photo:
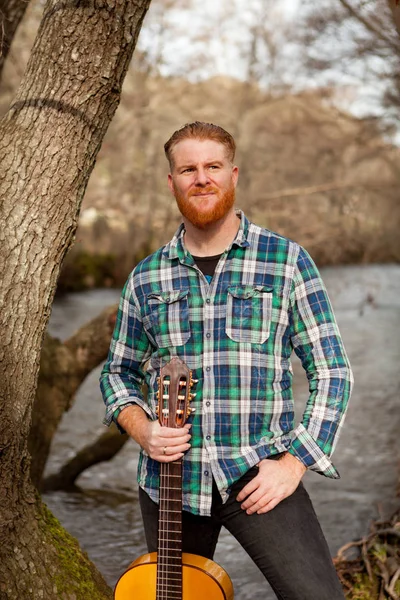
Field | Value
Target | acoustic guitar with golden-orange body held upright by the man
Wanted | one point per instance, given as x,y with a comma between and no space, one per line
169,574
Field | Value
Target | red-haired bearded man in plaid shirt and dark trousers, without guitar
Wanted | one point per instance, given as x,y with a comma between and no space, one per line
232,300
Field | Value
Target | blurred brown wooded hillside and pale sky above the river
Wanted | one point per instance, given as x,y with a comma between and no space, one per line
309,90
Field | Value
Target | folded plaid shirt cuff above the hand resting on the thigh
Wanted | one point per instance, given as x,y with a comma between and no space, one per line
305,448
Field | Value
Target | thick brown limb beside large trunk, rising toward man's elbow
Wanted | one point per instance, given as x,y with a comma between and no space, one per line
63,367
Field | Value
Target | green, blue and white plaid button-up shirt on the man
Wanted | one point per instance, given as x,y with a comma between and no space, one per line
236,334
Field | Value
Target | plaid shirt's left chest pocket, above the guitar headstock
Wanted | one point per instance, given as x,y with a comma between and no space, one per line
168,318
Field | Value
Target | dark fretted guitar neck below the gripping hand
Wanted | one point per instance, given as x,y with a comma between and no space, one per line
169,556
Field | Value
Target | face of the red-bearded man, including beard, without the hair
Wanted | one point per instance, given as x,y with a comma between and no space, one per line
203,181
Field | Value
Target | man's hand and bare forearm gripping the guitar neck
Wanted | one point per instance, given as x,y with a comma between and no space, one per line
164,444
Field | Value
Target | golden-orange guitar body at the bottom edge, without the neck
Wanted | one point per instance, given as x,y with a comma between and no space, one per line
201,578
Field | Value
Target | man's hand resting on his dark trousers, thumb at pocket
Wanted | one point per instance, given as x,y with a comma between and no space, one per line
276,480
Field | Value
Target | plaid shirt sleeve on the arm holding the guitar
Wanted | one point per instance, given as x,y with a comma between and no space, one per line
122,376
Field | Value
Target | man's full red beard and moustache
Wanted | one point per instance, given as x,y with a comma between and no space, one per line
201,212
